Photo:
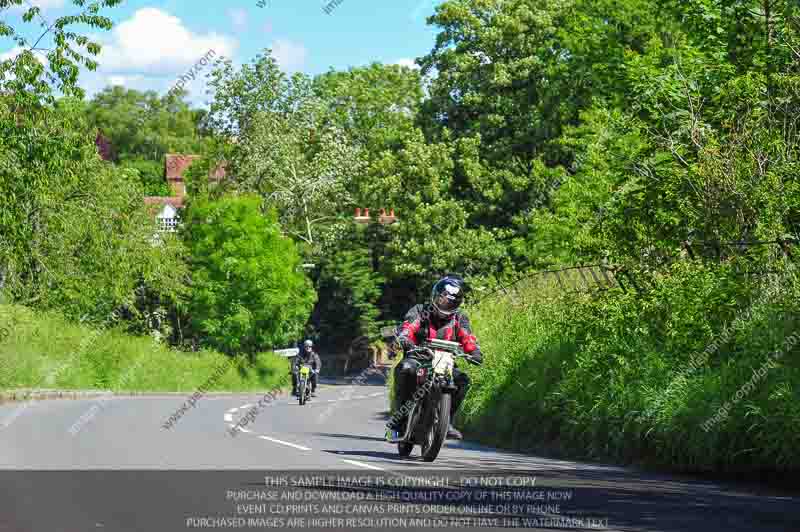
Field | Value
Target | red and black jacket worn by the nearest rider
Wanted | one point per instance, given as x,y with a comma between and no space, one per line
422,323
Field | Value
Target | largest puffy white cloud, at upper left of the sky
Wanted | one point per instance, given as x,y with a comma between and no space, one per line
155,43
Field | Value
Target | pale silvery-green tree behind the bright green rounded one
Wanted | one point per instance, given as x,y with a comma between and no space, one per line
286,149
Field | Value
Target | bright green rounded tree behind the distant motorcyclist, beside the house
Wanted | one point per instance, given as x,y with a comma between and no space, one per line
248,292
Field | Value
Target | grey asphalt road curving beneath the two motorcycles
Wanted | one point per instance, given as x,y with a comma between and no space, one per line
123,471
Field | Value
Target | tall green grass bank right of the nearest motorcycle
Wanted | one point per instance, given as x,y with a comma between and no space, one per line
586,374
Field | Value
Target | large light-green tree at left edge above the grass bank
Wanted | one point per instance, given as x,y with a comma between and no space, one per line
74,233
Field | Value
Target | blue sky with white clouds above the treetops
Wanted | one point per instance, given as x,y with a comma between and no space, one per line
155,42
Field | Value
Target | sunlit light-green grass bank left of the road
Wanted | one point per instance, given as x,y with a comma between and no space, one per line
47,351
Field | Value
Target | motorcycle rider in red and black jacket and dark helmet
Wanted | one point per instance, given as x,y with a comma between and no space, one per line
439,318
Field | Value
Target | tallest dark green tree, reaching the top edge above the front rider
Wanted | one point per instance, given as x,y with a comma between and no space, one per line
510,76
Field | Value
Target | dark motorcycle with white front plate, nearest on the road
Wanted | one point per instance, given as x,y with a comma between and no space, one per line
429,417
